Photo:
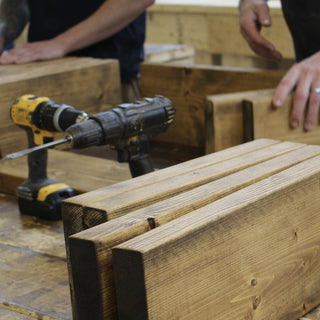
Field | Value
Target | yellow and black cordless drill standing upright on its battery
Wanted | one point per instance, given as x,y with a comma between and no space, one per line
42,119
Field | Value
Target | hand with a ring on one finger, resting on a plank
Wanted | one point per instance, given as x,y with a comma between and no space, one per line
304,79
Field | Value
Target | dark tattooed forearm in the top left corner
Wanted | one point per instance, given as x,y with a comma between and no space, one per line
14,15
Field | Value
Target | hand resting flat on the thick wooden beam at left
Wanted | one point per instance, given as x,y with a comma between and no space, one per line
33,51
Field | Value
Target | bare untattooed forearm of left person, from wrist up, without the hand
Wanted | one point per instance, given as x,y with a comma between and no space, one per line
111,17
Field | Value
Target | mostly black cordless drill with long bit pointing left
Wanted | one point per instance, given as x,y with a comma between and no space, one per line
127,128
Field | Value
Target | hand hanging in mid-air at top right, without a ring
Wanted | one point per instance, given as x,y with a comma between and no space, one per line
254,14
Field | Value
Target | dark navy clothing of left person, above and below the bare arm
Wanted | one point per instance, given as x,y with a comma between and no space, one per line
48,18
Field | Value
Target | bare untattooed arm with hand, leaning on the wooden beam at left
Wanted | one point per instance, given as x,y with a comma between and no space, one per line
110,18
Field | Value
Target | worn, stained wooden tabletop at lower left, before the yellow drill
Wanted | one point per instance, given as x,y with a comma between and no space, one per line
33,268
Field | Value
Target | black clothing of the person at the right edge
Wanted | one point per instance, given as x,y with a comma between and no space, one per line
303,20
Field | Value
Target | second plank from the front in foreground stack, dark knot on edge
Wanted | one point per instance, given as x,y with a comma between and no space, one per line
90,250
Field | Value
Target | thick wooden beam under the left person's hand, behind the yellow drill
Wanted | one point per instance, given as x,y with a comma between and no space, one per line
80,82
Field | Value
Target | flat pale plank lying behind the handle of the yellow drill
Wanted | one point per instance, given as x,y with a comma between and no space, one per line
83,173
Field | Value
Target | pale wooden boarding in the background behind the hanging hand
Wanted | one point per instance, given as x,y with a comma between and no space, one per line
212,27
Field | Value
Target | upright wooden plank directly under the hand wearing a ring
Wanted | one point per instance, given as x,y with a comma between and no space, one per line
268,122
